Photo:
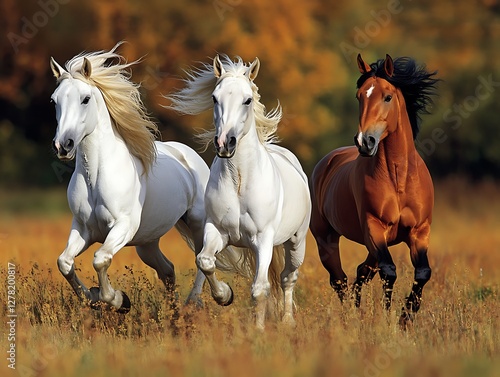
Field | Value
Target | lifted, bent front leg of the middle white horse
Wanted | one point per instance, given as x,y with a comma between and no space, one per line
213,242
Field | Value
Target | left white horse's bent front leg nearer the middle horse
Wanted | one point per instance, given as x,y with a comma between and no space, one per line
121,233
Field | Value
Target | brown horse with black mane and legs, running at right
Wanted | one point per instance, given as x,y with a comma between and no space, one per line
380,192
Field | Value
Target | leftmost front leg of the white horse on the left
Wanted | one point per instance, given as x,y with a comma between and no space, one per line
78,242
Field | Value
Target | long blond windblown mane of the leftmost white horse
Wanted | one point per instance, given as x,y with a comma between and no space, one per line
122,98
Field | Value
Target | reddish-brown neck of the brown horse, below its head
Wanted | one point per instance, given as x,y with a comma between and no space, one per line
396,157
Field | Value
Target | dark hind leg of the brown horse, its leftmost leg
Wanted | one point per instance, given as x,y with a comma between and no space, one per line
327,240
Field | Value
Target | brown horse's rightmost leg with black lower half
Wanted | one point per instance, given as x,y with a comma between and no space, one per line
419,241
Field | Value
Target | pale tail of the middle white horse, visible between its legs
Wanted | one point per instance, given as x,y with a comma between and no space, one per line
242,261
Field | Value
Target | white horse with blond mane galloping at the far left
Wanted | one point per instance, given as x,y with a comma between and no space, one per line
126,189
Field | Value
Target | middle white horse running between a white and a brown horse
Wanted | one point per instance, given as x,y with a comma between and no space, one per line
257,196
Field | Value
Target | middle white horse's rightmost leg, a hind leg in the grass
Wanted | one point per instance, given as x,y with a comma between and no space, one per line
294,256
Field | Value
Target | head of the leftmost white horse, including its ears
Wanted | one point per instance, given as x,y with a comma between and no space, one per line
76,109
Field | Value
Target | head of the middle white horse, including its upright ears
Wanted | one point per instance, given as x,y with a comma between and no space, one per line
233,106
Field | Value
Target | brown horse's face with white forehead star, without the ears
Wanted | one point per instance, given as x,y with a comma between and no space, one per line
378,114
